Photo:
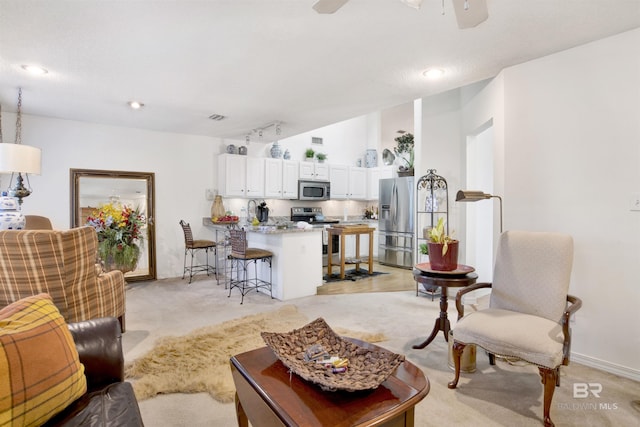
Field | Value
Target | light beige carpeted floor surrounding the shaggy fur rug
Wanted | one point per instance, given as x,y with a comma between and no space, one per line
501,395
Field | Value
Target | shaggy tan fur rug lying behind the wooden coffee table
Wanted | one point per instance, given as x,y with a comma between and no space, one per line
199,361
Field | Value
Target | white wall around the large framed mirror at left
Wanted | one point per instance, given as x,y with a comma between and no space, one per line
182,165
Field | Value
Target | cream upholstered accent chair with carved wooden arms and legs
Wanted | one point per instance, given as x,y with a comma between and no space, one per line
529,309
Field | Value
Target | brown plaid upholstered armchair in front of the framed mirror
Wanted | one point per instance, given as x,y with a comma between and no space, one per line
61,263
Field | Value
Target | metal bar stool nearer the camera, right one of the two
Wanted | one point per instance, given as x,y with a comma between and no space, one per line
241,258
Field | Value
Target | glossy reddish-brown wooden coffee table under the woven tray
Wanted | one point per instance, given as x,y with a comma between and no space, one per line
268,395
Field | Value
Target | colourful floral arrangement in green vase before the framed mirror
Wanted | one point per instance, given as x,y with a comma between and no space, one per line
119,229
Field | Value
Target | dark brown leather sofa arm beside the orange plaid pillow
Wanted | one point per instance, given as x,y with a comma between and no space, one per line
99,345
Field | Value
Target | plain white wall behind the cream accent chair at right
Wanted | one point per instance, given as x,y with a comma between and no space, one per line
567,154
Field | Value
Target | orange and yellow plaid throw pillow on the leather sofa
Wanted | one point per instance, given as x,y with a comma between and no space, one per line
40,373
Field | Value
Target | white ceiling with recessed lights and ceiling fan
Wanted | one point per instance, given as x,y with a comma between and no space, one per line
258,61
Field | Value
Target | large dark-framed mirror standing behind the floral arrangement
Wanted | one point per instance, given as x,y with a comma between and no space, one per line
92,189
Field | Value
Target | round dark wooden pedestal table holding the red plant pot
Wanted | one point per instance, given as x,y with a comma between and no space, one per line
461,277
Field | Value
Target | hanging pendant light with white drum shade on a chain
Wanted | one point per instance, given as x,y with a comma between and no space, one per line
19,159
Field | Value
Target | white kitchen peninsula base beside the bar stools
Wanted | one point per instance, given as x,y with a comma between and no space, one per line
297,257
